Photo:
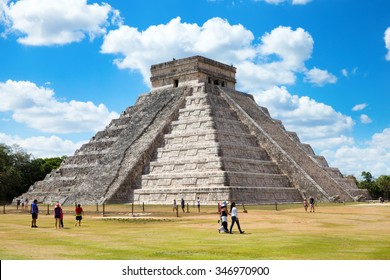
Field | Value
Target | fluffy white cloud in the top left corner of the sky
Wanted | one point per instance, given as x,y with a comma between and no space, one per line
57,22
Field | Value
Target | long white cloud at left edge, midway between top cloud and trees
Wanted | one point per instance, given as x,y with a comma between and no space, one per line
38,108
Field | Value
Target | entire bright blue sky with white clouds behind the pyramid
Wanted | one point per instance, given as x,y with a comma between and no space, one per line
67,67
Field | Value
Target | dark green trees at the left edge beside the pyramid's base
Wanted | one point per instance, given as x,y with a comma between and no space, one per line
18,171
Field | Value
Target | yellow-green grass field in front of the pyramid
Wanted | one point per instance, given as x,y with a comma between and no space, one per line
333,232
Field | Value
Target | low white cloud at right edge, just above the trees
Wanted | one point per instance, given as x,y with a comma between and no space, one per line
373,156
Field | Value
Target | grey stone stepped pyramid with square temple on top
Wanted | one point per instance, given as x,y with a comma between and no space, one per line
194,136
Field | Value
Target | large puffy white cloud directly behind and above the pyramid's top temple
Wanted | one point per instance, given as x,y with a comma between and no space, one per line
216,38
